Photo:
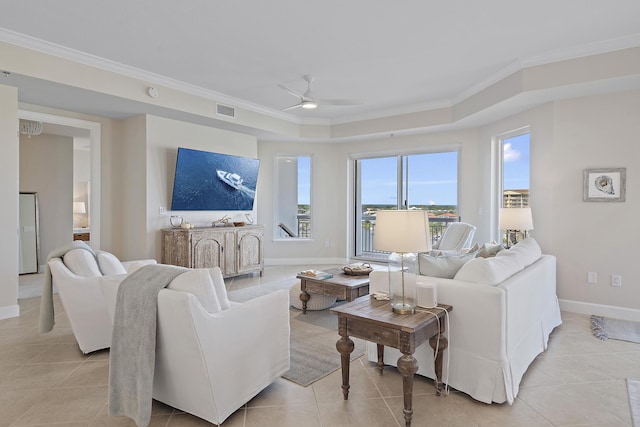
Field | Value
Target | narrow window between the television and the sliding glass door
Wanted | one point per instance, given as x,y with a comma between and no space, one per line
293,197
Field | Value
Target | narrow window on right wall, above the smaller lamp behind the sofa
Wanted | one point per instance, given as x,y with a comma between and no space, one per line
515,161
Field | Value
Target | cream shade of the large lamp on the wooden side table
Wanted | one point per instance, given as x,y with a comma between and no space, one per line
402,231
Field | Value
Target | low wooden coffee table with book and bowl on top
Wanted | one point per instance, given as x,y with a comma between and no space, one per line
341,286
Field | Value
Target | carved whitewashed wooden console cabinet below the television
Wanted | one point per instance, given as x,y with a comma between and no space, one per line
236,250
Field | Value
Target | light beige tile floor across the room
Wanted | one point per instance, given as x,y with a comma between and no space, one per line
579,381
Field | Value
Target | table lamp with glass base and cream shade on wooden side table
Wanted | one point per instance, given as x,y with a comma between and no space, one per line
403,233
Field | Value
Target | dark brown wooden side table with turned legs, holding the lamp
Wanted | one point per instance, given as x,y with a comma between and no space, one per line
374,321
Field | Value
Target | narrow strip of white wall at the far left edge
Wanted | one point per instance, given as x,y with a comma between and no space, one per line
9,196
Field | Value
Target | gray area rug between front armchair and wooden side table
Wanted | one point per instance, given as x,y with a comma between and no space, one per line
313,337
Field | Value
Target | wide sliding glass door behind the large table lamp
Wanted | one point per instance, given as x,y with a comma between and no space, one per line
427,181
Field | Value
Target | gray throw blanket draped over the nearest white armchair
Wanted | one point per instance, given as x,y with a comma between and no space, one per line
133,343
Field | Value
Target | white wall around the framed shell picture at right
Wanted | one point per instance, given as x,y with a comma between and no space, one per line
593,132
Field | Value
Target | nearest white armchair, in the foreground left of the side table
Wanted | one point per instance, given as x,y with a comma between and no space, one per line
214,355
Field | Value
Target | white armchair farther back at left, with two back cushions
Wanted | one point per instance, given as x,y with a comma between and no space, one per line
78,283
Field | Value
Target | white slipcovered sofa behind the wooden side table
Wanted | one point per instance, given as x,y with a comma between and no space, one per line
504,309
